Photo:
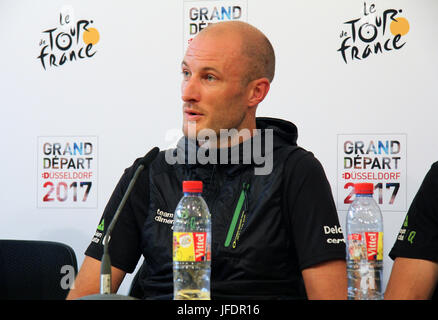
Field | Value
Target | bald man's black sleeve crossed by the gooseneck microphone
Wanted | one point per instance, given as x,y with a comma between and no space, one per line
124,245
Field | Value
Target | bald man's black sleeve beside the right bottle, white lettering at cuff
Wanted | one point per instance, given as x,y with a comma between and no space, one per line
317,234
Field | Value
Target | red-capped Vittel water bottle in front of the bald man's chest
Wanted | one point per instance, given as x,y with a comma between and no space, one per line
191,245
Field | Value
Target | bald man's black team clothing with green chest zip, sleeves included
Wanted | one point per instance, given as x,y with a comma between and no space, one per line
288,221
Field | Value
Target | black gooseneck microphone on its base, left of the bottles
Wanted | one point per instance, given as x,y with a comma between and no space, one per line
105,270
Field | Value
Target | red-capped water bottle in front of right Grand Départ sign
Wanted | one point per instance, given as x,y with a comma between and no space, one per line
364,230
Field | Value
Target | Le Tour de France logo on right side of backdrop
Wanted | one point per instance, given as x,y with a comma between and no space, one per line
375,32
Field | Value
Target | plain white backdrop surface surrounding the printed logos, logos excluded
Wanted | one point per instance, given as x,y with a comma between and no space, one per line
128,95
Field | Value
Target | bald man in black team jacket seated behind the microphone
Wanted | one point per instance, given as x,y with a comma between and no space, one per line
283,243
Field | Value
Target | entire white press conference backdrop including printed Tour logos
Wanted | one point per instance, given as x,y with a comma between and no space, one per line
88,86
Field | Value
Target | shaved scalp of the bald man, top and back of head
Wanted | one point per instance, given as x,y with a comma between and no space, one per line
255,48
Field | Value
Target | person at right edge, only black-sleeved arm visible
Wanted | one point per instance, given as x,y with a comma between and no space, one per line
415,271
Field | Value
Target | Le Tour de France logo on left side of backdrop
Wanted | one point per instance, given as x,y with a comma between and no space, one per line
69,41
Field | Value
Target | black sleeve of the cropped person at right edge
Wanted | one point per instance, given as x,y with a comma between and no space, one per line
418,236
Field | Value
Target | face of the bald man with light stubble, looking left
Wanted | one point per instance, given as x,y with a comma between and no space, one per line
212,89
